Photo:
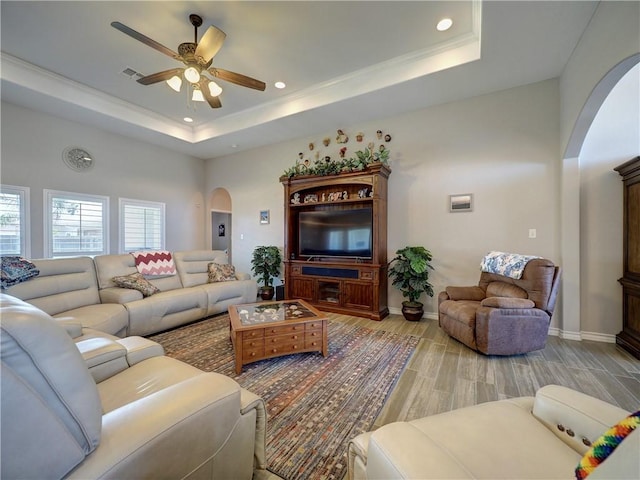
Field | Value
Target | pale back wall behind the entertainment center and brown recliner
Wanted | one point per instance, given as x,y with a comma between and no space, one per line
502,147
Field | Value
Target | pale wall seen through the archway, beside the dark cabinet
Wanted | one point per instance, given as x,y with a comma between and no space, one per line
614,138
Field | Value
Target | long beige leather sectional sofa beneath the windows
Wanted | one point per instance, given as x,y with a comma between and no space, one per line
81,290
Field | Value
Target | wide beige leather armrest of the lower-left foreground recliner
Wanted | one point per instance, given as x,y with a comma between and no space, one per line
191,421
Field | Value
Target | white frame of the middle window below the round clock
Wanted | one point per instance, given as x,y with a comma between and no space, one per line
49,196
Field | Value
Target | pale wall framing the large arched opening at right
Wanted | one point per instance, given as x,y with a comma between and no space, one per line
608,48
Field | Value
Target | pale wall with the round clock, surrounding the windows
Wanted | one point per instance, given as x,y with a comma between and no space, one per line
32,146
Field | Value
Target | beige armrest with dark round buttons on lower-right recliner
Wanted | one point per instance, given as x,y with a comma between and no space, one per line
574,416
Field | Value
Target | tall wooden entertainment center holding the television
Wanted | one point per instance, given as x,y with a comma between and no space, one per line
341,284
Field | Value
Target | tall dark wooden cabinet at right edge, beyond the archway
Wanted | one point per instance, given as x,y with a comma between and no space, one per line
629,337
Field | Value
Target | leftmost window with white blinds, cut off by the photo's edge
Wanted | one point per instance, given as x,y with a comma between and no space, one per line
14,221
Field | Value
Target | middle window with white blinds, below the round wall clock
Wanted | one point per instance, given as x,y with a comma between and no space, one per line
75,224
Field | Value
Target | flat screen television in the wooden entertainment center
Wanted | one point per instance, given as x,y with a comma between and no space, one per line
336,233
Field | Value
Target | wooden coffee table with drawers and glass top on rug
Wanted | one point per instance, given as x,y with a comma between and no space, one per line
271,329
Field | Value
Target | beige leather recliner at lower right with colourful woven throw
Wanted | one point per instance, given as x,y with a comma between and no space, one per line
534,438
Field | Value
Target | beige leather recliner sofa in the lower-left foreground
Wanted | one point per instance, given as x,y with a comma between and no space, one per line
156,418
